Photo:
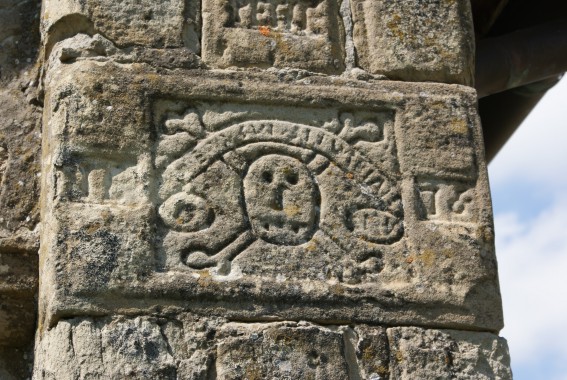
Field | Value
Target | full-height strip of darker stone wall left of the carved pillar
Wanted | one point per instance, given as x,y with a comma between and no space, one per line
19,184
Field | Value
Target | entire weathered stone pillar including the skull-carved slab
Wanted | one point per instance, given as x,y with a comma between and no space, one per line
238,189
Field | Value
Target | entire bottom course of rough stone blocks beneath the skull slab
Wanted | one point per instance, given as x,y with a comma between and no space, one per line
184,346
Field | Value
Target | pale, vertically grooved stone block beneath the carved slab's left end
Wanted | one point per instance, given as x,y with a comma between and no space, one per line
129,348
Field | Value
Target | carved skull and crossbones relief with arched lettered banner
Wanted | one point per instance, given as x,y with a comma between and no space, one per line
270,183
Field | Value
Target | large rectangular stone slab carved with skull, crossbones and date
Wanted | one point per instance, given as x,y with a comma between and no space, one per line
256,196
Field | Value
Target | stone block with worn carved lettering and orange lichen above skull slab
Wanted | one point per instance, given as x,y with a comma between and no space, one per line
292,33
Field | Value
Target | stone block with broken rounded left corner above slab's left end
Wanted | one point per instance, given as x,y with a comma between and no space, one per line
158,24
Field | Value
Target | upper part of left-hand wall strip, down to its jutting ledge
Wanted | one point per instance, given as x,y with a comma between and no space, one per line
20,137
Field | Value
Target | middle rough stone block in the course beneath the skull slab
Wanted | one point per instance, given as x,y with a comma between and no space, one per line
280,351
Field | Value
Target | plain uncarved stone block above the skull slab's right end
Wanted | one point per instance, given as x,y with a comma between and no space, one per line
429,40
